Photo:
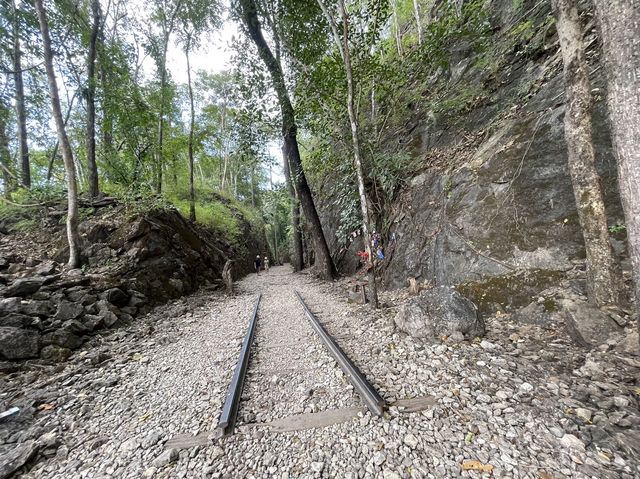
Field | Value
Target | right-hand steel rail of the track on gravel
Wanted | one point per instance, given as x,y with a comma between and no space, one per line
372,399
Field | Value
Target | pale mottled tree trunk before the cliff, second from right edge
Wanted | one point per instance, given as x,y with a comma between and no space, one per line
604,281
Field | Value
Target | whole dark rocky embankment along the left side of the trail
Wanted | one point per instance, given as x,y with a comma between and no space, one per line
130,262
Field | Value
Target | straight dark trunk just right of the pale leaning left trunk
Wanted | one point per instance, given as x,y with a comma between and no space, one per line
92,168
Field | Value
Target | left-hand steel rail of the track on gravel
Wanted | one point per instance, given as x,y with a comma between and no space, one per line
227,419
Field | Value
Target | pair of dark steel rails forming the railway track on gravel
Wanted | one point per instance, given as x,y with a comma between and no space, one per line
370,397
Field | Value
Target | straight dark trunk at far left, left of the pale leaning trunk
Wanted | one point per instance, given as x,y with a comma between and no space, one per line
21,111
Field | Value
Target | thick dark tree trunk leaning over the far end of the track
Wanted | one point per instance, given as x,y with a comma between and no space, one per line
324,262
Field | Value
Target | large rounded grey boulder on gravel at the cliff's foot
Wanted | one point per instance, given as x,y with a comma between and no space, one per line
438,312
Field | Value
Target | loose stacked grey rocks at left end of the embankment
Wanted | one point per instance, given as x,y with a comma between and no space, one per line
45,312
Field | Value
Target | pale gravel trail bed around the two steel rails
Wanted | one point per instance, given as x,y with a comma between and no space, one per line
143,400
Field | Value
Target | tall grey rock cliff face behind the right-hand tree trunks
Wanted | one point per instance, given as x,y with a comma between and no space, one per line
492,197
